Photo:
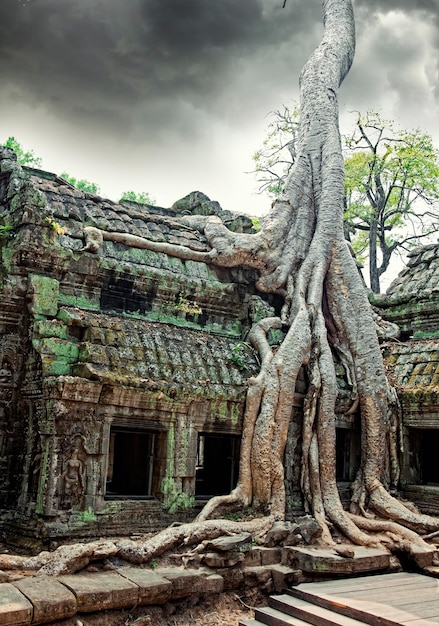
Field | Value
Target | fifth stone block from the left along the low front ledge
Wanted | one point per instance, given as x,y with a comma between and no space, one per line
188,582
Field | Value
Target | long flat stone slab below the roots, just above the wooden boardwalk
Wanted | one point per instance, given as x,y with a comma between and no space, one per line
326,561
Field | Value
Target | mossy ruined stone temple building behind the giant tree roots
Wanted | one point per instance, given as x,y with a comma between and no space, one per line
123,369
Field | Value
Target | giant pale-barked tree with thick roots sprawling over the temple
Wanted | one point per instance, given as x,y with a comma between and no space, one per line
301,254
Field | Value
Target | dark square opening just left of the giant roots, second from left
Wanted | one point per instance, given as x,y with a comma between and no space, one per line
217,464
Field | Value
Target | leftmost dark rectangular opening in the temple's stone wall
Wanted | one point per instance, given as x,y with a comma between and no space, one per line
130,463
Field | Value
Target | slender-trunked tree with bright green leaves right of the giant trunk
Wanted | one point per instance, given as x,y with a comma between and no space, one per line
391,190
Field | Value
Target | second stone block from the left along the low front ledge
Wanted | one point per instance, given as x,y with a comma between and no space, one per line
51,600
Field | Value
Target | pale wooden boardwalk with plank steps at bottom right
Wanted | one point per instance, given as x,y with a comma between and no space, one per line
380,600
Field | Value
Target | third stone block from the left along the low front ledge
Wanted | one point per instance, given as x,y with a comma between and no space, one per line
104,590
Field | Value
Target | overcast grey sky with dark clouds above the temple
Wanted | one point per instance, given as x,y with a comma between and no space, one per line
171,96
